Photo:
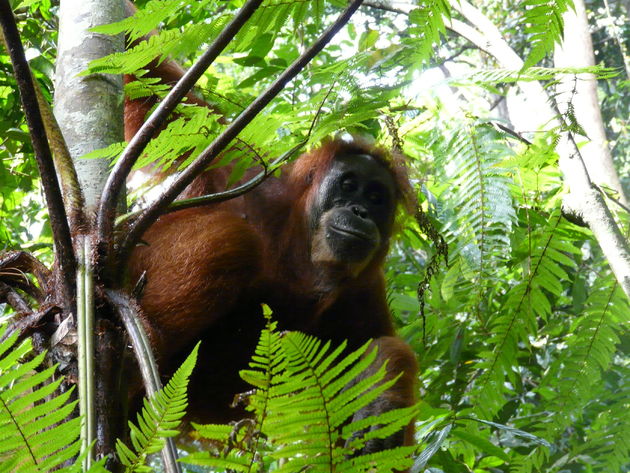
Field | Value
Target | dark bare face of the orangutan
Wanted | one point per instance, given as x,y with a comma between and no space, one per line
354,209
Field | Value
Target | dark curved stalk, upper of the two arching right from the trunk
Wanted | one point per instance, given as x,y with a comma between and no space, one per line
115,181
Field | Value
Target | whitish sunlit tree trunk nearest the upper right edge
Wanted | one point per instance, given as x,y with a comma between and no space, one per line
577,51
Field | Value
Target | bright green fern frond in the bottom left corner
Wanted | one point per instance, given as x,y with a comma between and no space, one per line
35,435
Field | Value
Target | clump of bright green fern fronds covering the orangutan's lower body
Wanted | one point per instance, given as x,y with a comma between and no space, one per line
306,395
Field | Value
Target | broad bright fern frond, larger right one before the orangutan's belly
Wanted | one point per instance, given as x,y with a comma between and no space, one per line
308,408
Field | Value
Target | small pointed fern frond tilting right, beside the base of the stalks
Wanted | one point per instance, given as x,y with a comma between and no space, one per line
158,420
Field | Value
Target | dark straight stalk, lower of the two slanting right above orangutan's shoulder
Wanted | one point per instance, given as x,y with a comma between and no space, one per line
149,215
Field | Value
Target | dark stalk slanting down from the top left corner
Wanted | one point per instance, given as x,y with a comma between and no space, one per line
58,219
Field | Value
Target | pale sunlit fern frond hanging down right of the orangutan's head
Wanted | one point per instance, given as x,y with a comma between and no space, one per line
480,202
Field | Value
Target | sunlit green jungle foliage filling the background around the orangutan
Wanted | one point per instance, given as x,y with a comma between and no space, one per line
522,334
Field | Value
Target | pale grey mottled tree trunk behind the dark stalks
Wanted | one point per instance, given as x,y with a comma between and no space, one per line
88,108
